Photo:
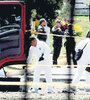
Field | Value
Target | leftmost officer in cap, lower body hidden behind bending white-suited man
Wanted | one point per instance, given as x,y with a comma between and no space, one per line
42,28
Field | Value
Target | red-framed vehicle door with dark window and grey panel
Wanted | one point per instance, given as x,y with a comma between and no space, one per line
12,31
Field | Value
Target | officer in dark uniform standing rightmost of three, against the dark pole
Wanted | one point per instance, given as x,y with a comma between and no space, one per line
70,46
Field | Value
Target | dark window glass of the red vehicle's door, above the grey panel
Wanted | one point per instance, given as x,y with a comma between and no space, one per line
10,17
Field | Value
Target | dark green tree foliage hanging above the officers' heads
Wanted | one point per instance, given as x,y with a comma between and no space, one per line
44,8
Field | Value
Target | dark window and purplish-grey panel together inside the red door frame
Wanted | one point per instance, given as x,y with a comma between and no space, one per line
10,30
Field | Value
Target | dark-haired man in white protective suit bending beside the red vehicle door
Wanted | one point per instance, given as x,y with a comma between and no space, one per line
42,53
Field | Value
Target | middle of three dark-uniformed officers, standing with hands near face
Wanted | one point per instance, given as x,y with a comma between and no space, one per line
58,29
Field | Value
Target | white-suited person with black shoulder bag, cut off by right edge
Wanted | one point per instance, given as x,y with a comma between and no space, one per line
84,60
